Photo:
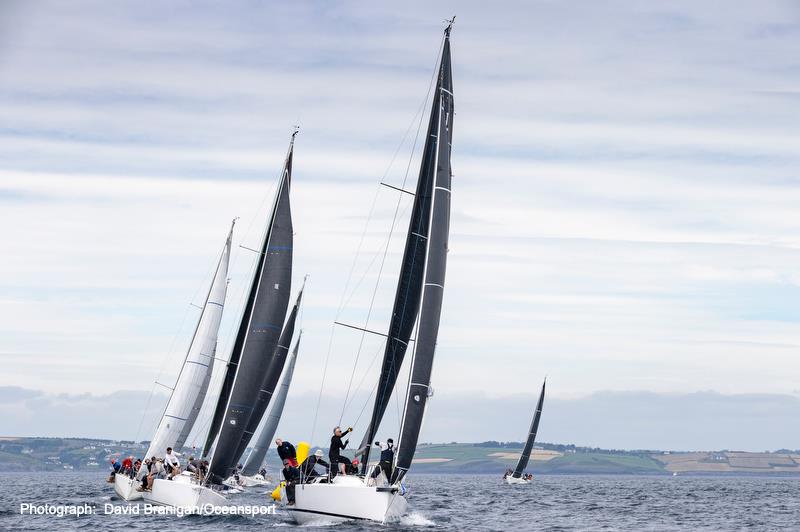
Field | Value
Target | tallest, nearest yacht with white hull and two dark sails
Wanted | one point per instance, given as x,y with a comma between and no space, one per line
418,299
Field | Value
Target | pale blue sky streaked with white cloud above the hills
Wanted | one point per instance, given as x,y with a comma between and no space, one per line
624,216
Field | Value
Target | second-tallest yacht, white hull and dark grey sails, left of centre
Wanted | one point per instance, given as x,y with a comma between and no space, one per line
247,375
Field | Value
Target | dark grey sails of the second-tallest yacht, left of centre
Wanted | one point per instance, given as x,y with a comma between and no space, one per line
259,328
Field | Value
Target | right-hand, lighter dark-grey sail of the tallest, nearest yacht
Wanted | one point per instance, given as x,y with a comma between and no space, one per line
435,270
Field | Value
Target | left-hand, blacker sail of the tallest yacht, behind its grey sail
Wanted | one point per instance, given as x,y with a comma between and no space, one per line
409,287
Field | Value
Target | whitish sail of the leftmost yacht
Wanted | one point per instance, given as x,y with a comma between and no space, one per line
190,388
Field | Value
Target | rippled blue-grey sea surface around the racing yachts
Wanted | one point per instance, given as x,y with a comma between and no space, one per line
465,502
